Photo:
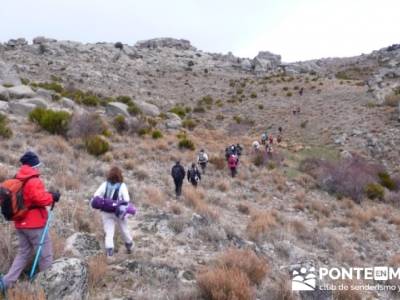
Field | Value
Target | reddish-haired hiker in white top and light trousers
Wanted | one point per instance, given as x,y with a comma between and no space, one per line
114,188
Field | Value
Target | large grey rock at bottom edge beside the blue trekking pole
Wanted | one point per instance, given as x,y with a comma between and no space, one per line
66,279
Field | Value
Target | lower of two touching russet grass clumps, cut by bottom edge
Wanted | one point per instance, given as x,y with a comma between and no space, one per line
222,283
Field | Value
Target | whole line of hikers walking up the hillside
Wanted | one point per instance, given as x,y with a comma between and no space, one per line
24,200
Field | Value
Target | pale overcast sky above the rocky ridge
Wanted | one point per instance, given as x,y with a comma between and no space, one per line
296,29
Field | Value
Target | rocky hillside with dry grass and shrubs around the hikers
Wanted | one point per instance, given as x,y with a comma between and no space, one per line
142,107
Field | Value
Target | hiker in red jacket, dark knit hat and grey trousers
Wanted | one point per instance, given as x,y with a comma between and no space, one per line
31,223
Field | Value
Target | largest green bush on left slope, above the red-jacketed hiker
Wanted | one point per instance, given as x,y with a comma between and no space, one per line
55,122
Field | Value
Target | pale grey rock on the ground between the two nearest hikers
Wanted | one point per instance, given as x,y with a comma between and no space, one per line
82,245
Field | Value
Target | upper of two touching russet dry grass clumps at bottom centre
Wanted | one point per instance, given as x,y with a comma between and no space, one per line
246,261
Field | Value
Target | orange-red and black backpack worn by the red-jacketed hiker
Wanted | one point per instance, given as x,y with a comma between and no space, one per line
12,200
